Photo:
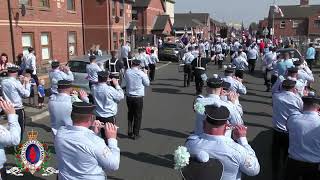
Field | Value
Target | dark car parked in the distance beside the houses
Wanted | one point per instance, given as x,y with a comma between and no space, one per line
171,52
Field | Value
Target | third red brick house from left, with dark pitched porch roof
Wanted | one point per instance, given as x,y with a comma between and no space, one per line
151,20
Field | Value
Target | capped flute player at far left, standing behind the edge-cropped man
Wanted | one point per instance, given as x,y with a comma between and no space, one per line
13,91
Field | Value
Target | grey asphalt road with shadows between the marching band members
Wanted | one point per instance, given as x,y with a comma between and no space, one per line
168,119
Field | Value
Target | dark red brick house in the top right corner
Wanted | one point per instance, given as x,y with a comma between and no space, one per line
299,20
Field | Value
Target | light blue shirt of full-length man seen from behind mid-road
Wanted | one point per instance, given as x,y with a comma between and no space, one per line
136,81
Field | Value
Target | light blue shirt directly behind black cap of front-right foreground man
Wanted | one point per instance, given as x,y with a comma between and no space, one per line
235,111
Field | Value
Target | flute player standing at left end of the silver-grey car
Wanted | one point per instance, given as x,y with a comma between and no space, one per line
59,73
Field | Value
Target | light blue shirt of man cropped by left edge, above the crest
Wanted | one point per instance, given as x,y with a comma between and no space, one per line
9,136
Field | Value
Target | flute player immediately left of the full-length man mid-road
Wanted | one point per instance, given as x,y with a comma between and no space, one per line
106,98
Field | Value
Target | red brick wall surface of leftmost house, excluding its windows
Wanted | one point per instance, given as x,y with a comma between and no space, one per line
56,20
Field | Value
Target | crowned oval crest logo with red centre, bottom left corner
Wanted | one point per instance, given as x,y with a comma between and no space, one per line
32,156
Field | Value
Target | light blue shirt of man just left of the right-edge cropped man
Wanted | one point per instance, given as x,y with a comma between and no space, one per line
284,104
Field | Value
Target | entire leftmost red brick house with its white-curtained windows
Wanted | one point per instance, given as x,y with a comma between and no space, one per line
52,27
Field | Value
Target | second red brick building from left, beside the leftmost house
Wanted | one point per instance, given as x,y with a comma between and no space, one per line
106,22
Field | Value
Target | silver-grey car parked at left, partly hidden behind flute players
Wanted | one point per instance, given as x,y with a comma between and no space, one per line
78,67
